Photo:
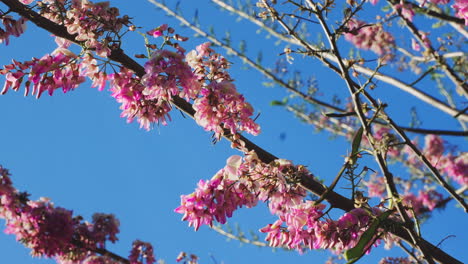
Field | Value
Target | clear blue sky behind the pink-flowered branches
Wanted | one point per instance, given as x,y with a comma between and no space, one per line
75,149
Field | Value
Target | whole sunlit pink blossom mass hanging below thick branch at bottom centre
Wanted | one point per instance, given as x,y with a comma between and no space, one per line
300,224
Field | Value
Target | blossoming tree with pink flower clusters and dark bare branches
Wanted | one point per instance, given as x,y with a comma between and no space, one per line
376,208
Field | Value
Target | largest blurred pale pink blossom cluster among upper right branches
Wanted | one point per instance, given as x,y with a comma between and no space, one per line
370,37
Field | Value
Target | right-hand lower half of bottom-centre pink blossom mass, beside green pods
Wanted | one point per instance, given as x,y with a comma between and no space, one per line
301,227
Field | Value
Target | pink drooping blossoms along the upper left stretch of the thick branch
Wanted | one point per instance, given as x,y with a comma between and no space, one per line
200,77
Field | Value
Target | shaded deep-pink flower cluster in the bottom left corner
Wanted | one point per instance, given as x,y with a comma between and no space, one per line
54,232
